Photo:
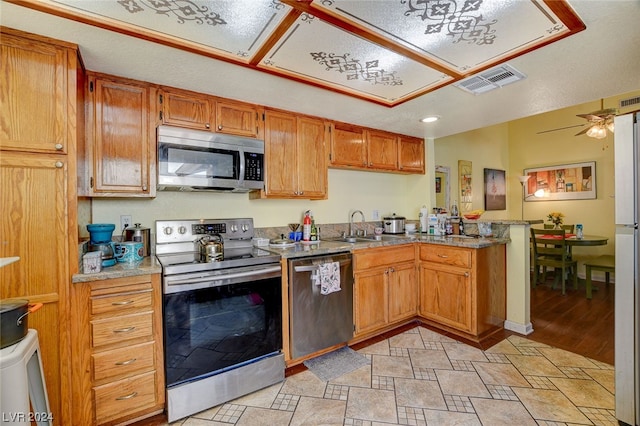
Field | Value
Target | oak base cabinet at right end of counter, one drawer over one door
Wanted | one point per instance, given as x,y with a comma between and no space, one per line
463,290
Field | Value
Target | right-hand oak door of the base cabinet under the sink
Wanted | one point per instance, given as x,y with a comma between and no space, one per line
403,288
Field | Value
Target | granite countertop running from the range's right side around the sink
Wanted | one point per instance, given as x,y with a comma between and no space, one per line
332,246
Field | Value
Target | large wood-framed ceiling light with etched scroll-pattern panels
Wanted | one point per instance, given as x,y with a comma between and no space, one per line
383,51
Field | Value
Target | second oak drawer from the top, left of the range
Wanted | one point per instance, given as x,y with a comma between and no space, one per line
114,330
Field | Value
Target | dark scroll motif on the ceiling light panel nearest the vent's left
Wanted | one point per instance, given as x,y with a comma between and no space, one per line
355,70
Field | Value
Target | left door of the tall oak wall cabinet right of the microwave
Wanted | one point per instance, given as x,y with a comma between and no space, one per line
280,154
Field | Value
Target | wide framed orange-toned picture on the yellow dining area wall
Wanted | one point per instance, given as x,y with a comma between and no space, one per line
563,182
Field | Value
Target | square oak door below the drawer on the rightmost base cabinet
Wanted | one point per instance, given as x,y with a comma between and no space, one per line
446,296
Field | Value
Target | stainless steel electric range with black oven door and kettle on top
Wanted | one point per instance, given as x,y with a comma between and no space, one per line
222,319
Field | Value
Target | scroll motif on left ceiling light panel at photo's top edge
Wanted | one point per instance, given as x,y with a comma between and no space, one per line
183,10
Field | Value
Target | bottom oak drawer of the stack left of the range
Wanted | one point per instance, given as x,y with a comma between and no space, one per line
126,396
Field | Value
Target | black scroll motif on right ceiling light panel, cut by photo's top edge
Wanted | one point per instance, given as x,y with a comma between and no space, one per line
461,22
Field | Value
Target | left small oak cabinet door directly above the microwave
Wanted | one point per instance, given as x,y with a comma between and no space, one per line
186,109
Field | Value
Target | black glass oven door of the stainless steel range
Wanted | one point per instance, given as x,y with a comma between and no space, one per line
210,330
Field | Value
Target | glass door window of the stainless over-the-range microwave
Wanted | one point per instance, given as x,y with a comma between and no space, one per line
198,163
